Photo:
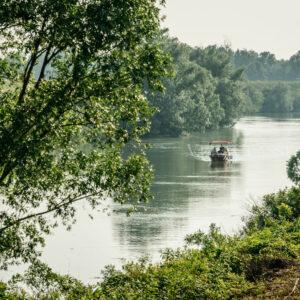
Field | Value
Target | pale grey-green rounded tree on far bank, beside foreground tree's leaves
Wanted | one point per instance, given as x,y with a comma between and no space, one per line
189,102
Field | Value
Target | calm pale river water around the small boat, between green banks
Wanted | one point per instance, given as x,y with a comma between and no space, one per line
188,195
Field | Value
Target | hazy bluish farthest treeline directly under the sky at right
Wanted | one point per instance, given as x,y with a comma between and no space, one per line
265,66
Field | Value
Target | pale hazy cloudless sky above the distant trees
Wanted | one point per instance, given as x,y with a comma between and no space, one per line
261,25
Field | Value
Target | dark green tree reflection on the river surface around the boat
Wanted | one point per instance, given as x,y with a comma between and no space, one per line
187,189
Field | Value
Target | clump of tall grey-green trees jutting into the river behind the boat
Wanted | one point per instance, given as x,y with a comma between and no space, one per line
206,91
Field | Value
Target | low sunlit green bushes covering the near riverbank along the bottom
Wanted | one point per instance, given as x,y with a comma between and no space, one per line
216,267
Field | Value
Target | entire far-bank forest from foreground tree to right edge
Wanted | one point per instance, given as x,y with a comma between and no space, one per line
213,87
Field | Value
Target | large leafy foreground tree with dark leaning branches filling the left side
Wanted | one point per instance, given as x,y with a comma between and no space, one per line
71,76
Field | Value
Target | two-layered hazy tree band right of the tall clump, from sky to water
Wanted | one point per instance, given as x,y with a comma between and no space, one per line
273,85
